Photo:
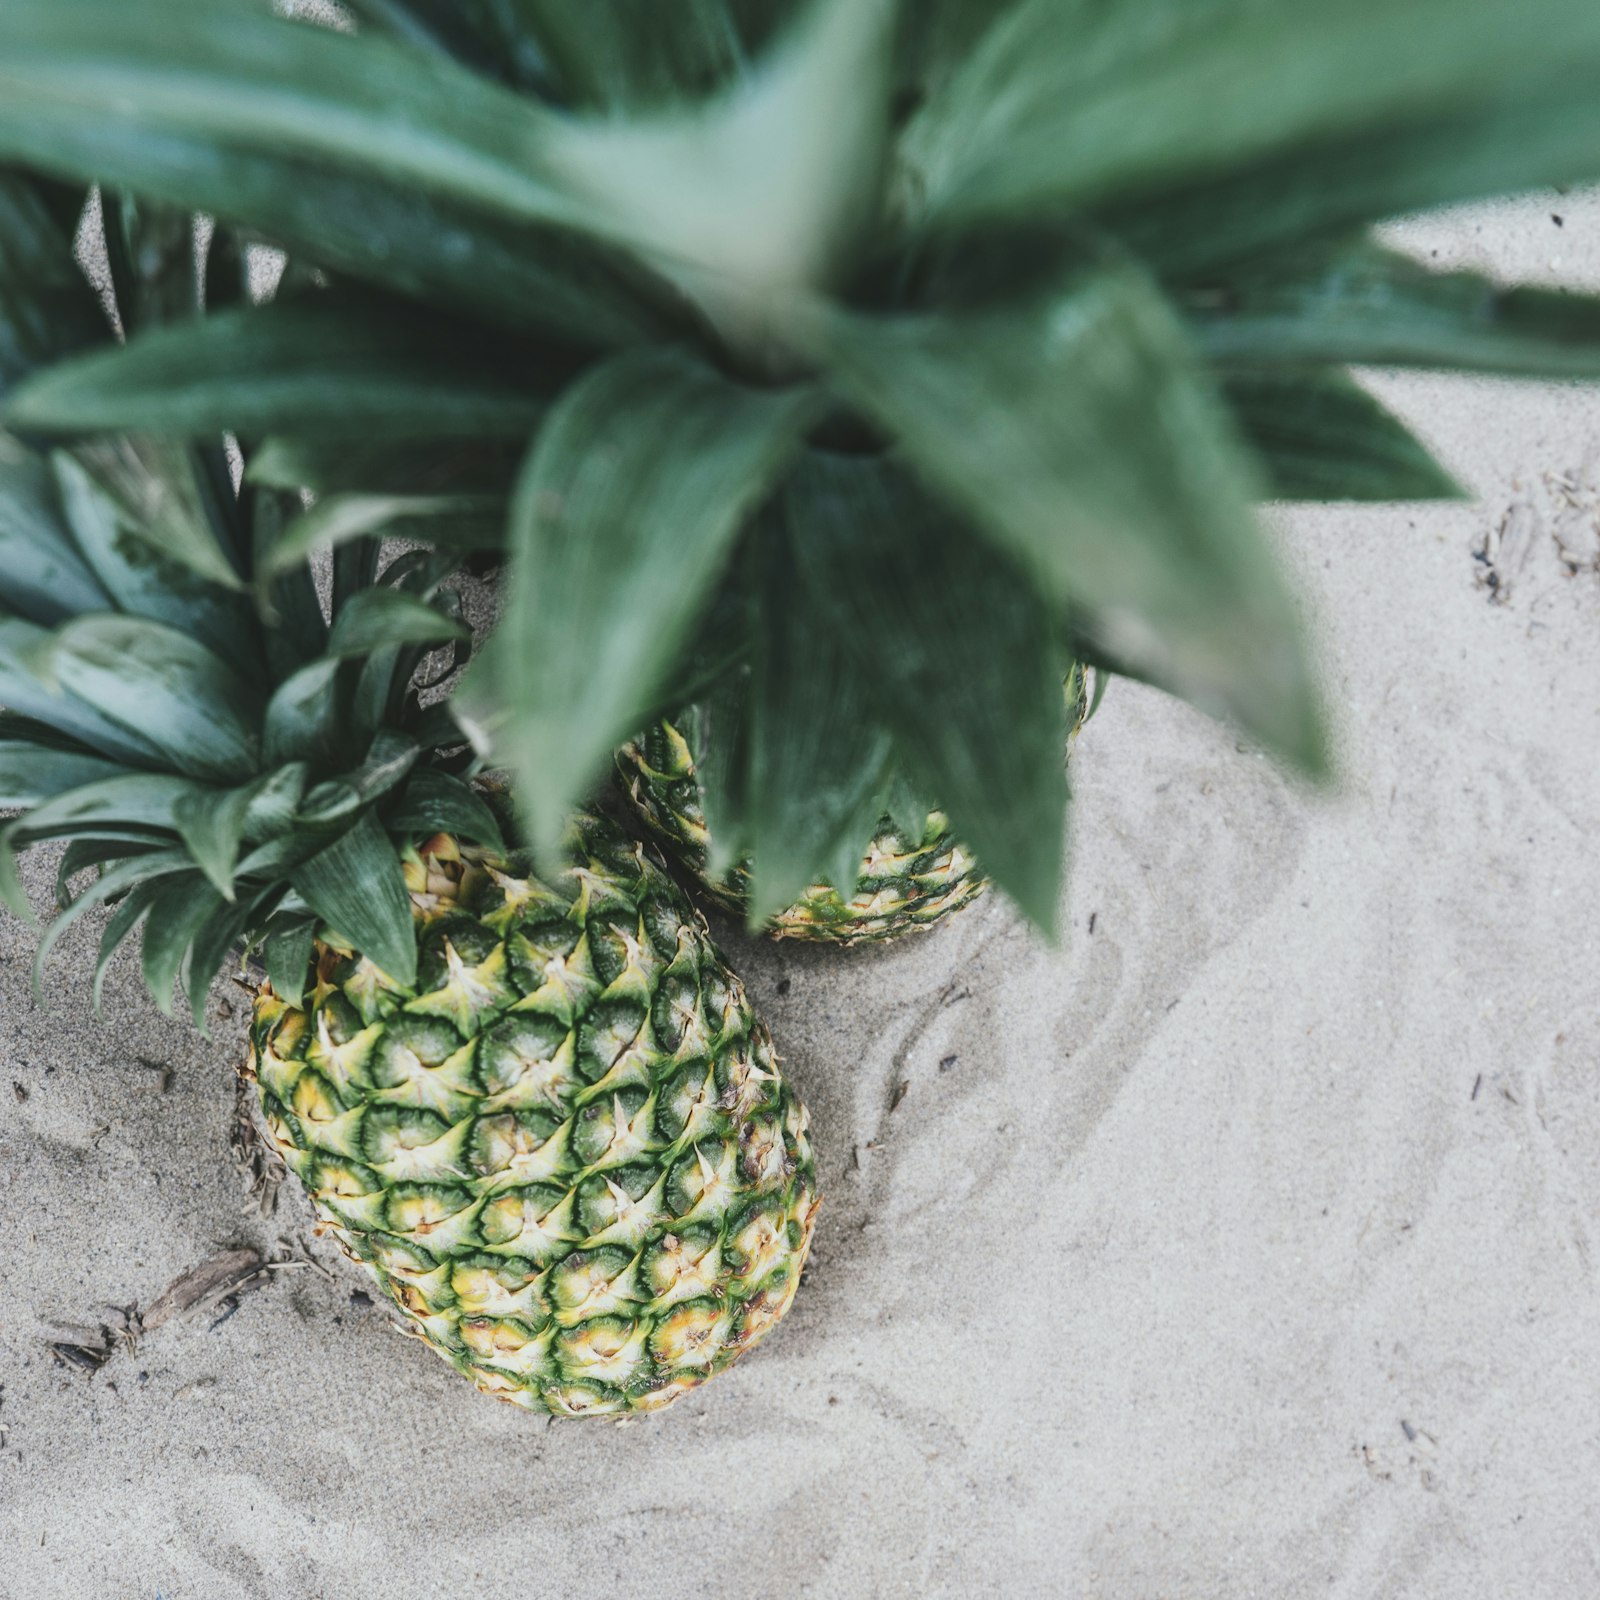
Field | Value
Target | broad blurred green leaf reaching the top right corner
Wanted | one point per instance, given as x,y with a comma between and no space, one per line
1153,98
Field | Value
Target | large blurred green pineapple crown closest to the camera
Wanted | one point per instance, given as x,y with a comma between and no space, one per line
878,359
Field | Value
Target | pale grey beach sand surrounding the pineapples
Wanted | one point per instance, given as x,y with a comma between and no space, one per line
1242,1247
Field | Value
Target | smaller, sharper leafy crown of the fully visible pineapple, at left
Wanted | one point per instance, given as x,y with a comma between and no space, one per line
228,759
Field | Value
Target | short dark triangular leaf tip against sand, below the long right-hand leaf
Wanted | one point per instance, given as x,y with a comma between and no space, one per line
1326,439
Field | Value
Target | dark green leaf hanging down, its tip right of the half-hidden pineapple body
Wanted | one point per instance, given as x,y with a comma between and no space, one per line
959,655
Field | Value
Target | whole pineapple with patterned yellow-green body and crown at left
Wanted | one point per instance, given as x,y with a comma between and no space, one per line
535,1105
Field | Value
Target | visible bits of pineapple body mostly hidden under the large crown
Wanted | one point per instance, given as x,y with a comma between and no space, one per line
914,873
